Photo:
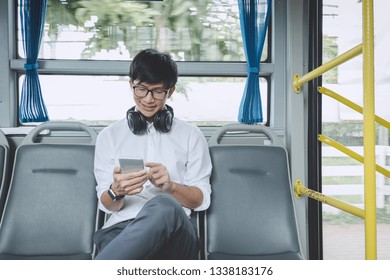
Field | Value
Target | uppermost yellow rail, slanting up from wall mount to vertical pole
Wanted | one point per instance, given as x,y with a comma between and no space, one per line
299,81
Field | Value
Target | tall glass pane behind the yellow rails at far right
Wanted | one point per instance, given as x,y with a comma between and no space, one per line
342,176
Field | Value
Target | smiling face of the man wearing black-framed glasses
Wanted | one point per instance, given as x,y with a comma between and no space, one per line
149,105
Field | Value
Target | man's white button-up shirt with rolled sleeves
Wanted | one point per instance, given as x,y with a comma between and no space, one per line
183,150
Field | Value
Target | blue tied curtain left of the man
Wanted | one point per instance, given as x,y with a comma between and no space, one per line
32,14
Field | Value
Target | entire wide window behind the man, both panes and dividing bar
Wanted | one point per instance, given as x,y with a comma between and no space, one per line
80,35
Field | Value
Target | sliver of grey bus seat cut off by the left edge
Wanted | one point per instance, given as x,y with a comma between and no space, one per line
4,167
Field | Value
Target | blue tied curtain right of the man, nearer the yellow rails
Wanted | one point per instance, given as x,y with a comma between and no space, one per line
254,16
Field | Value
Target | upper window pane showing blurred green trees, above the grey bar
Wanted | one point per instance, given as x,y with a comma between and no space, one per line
191,30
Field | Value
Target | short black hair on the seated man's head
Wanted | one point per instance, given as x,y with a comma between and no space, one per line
154,67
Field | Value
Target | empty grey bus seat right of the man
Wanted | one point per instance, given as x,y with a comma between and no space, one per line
251,215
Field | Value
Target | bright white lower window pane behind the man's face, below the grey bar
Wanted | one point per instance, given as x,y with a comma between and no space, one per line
101,100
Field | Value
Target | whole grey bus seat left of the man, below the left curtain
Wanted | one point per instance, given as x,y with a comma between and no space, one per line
51,207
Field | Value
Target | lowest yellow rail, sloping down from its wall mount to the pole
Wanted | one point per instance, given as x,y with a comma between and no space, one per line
300,189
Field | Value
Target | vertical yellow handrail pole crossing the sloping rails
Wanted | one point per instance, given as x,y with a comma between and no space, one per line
369,130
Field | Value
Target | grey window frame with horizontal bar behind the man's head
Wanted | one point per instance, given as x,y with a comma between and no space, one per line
15,66
